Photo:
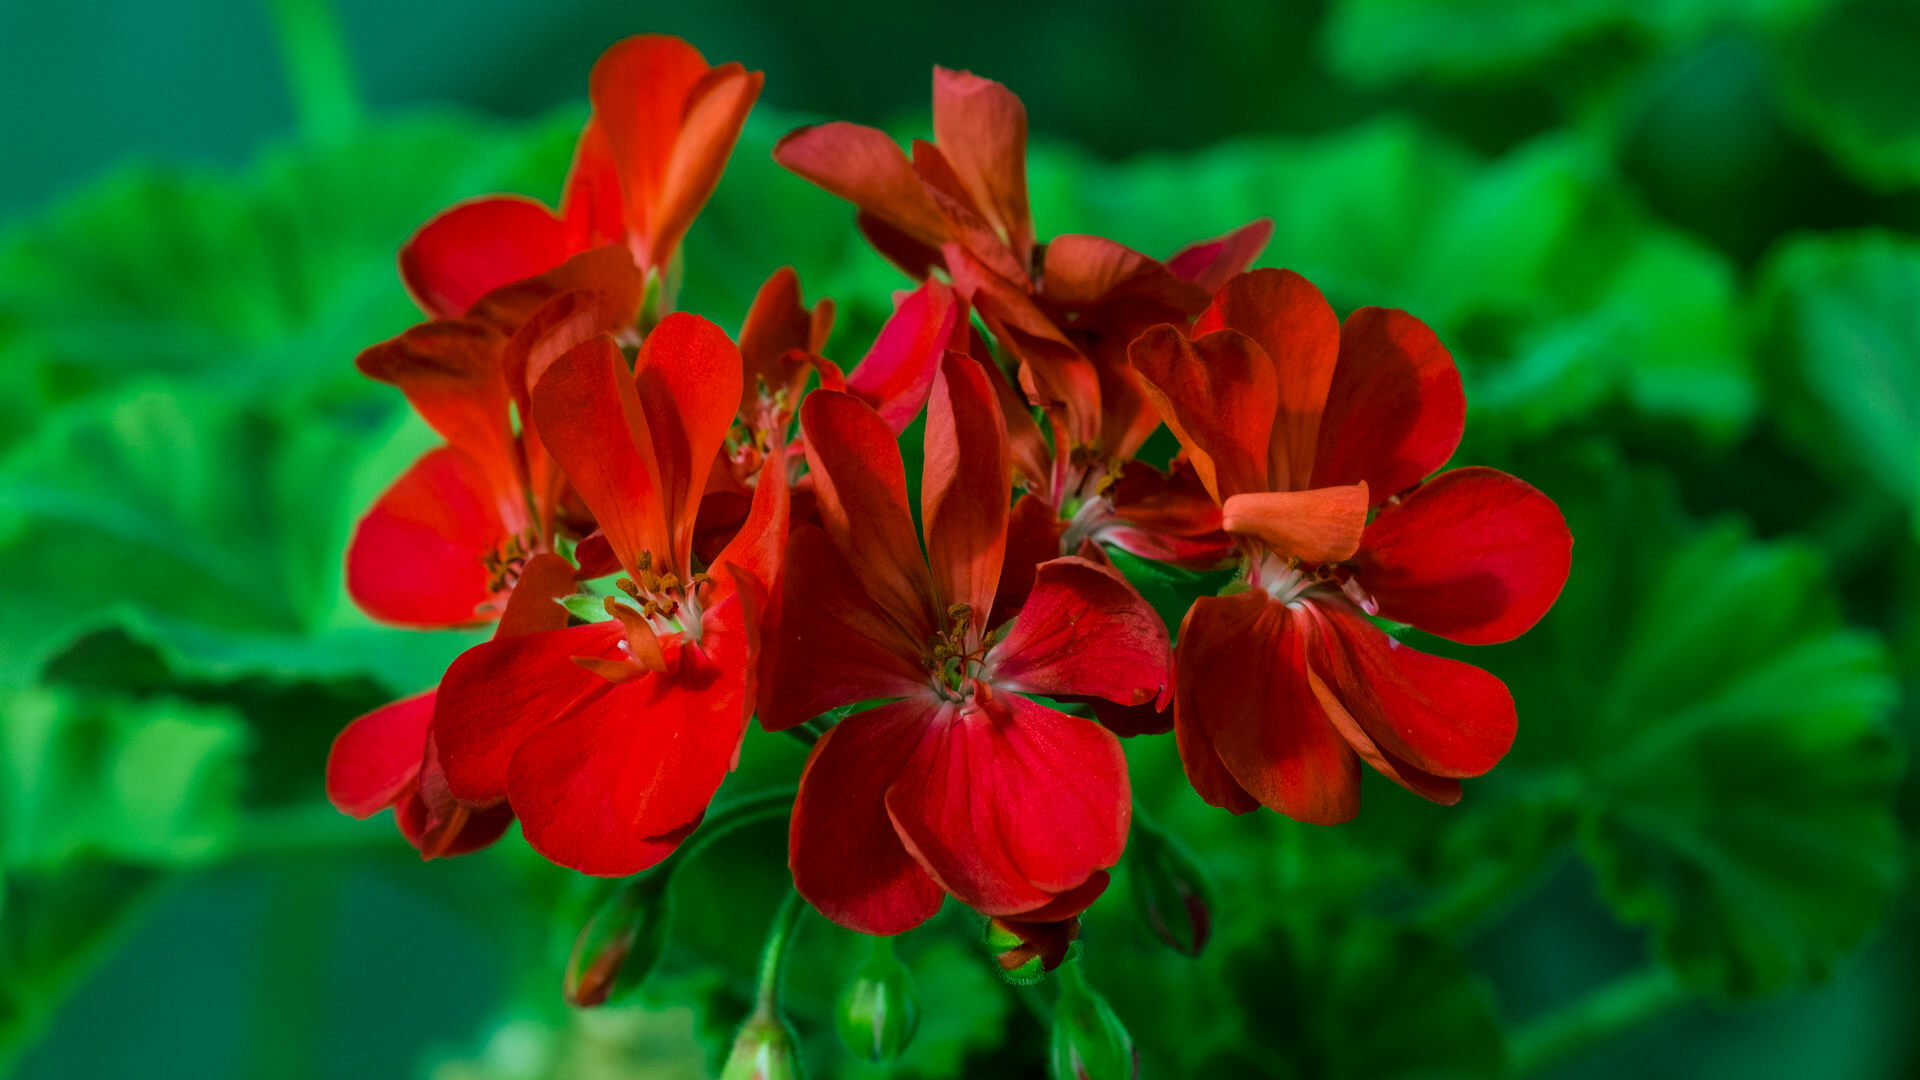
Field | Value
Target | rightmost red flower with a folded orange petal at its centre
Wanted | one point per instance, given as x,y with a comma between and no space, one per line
1318,439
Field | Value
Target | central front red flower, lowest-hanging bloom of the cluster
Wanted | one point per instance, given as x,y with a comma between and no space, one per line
961,783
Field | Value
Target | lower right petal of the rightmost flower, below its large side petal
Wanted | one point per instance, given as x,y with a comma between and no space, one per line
1435,714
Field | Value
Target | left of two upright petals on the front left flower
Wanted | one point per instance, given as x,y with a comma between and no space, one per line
596,430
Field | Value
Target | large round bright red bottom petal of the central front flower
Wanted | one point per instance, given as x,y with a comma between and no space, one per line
1013,804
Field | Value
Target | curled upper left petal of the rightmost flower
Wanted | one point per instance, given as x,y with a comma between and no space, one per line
1218,393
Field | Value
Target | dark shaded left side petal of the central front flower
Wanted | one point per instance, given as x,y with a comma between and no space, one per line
834,647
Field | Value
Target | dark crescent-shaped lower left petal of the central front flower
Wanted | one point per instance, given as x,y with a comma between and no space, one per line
844,852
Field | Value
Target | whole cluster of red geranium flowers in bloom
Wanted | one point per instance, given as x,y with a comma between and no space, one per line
675,531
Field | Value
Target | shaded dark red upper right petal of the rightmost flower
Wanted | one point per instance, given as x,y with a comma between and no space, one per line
1395,408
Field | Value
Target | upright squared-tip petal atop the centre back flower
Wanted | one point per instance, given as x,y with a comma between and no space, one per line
982,130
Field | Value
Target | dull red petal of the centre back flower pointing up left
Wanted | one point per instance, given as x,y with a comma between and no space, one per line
867,168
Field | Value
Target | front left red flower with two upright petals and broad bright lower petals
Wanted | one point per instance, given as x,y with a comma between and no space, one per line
612,739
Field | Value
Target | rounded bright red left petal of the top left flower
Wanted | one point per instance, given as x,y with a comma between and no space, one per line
479,247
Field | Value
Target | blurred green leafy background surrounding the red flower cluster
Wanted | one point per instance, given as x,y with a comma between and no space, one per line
1673,247
